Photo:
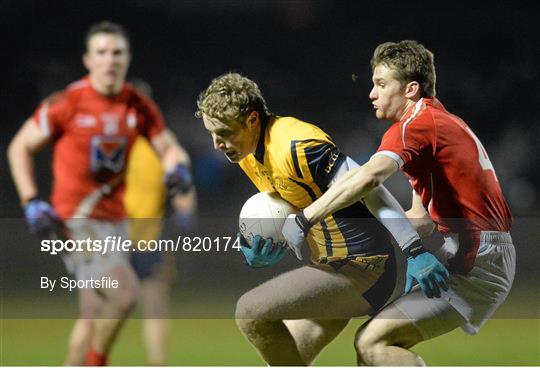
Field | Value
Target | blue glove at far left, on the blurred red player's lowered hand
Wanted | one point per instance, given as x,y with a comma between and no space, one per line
41,217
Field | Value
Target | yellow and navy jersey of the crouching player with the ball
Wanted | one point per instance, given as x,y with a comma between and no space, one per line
297,160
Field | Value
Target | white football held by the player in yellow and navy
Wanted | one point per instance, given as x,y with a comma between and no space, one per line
264,214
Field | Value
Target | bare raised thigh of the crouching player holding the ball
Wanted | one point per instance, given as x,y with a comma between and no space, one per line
307,292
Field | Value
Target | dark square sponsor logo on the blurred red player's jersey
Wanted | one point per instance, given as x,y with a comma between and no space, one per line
107,155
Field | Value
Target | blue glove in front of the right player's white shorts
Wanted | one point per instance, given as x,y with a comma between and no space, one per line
423,267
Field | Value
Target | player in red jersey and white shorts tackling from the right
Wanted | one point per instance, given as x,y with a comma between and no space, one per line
455,186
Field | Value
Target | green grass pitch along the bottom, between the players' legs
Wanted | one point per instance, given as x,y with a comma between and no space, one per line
217,342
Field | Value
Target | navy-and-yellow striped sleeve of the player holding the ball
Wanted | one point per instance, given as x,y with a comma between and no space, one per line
316,161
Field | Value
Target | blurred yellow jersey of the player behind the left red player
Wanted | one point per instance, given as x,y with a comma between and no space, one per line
145,194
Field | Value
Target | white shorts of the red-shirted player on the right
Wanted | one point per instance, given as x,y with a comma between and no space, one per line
475,296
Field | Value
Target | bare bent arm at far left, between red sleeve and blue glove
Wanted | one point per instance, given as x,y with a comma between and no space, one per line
22,148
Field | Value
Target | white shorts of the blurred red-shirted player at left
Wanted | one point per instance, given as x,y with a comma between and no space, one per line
86,264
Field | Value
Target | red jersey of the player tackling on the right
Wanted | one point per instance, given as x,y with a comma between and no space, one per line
451,171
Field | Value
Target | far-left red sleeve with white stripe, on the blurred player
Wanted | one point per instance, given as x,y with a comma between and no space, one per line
52,114
